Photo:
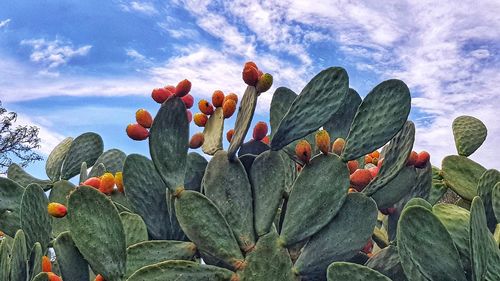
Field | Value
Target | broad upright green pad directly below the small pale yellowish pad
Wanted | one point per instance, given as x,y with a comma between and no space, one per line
226,184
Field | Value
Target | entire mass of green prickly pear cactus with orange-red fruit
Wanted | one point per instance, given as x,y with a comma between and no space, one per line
361,207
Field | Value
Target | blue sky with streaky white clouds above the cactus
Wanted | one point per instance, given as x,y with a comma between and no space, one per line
70,67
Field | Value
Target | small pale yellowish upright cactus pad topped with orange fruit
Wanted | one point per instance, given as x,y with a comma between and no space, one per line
213,132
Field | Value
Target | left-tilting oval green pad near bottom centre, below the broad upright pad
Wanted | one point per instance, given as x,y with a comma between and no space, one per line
205,225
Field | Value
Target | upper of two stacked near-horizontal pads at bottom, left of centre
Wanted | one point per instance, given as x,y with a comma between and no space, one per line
151,252
